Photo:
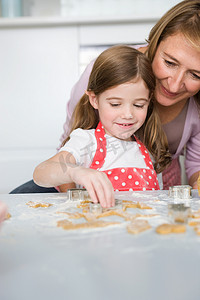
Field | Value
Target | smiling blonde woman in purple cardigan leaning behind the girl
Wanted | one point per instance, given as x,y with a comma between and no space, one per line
174,50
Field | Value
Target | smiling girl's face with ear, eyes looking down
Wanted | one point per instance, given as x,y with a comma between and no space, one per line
123,108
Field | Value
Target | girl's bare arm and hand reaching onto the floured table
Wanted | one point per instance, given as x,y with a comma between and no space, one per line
62,169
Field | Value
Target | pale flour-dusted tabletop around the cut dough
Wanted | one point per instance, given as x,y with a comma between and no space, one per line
39,260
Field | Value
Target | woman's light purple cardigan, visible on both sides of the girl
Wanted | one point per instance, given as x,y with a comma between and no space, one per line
191,132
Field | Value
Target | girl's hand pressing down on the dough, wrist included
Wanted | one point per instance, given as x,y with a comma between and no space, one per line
96,183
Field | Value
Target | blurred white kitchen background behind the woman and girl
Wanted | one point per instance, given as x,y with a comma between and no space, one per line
45,46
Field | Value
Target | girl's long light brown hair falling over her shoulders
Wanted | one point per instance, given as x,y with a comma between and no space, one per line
115,66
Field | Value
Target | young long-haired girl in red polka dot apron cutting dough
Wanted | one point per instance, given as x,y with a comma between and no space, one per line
112,119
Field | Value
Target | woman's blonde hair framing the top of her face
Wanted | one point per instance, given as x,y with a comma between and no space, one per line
183,18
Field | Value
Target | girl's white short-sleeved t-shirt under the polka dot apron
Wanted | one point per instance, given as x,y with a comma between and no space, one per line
82,145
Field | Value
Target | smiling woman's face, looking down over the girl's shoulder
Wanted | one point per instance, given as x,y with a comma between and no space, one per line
176,66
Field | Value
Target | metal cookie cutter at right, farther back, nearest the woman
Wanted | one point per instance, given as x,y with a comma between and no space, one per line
180,192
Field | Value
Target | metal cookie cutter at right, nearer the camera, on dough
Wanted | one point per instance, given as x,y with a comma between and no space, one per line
178,212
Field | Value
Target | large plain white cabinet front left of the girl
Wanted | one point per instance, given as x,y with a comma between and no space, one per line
38,68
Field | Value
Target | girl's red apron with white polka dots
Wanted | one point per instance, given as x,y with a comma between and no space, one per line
125,179
